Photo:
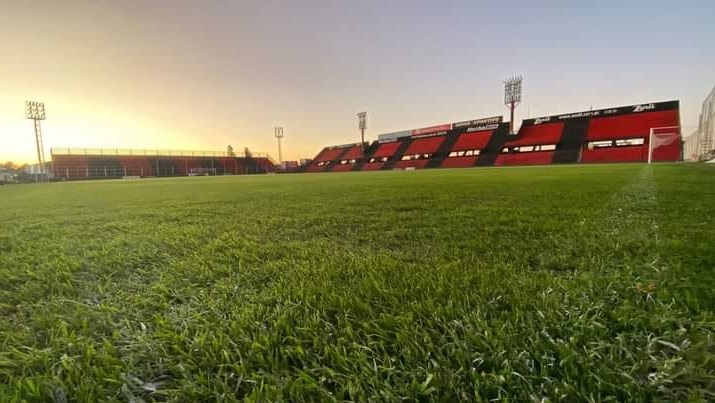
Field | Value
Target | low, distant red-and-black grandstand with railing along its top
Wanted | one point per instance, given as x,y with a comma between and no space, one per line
82,163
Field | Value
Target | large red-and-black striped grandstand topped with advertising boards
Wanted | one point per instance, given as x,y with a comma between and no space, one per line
635,133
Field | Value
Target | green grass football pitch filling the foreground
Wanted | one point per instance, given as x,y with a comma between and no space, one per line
561,283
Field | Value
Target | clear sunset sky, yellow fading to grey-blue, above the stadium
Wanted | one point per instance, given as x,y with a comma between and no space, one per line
187,74
